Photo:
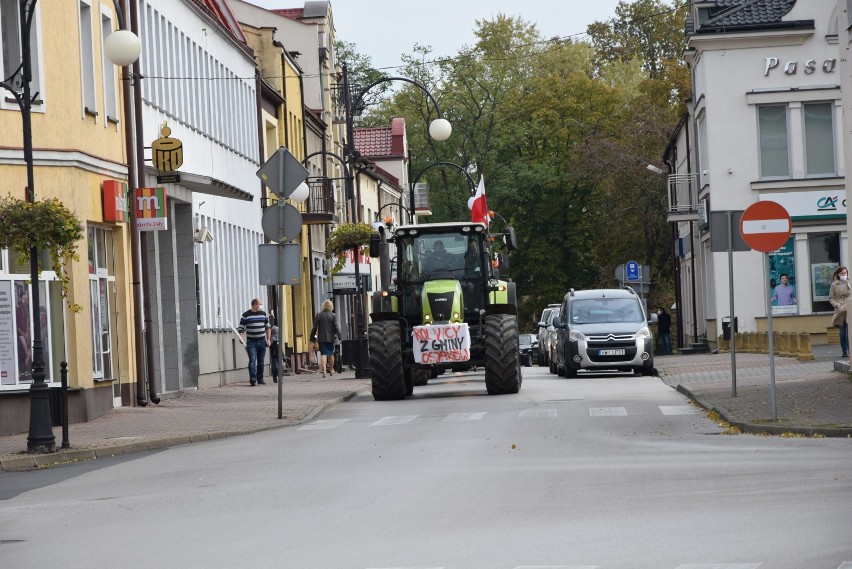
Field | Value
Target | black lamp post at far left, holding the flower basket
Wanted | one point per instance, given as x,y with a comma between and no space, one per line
41,439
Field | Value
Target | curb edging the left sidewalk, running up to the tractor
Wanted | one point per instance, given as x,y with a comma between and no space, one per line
28,462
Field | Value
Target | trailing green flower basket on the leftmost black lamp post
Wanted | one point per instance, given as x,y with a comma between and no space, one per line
46,225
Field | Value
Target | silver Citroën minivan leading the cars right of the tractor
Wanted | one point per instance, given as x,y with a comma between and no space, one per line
603,329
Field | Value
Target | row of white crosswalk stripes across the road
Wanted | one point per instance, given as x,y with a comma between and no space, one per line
523,414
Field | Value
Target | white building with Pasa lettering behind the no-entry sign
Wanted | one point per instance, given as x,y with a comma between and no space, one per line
764,123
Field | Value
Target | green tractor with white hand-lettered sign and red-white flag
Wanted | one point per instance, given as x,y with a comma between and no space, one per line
442,306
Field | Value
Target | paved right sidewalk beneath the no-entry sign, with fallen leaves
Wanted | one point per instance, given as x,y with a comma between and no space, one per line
811,398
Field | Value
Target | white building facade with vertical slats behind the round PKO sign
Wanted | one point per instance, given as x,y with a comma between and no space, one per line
199,78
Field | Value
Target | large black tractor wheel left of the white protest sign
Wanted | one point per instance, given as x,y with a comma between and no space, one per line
386,361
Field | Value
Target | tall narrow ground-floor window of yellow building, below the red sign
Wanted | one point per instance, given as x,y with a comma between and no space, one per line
102,302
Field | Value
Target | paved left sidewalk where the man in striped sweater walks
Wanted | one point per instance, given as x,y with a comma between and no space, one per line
195,416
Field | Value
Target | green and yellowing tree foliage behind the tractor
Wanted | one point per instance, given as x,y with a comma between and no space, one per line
561,132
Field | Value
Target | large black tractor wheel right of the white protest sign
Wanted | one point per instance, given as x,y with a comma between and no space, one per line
502,356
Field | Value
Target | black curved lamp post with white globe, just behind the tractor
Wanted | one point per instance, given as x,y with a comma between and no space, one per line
439,129
